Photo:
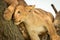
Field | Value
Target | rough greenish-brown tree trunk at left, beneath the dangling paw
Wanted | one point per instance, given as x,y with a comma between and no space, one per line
8,31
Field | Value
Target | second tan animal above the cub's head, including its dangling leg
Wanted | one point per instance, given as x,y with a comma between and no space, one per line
10,10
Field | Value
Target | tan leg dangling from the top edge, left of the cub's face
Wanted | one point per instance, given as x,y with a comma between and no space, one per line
9,11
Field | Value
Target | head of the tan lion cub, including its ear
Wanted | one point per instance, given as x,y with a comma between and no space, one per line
21,13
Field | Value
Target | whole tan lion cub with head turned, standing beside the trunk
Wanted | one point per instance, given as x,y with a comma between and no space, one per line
35,21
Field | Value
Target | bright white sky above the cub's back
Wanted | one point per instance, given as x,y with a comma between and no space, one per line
45,4
